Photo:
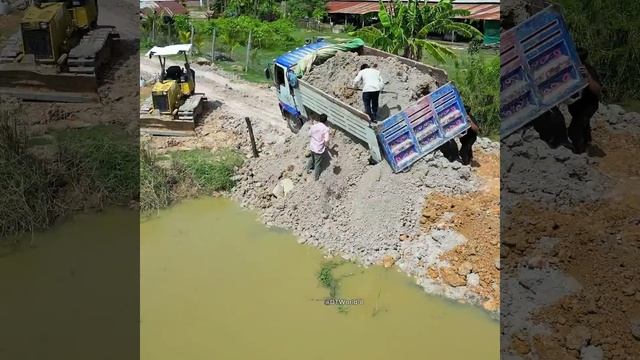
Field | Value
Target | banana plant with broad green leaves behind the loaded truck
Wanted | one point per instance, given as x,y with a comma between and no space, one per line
403,29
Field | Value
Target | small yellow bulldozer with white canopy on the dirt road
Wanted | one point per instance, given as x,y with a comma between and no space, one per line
174,108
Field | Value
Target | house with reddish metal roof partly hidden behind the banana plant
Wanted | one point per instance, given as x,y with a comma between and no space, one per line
485,13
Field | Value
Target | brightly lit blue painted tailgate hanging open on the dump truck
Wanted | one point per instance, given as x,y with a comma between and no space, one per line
423,127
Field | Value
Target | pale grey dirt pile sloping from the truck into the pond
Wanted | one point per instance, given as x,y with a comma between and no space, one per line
358,211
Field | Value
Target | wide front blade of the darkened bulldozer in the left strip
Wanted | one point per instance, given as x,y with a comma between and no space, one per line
33,85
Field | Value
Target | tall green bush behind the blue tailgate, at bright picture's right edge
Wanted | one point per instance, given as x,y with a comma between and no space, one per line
478,81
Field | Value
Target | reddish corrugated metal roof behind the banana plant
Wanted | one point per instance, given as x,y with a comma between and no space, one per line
482,11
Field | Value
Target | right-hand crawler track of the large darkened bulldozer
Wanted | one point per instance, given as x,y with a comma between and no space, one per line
92,52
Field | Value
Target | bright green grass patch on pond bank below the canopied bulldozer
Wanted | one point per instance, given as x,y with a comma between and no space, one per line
184,174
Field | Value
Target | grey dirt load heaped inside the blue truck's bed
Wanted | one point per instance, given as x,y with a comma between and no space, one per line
405,84
